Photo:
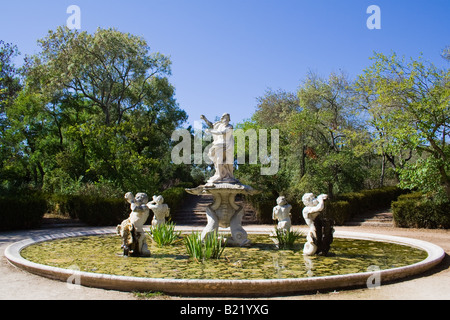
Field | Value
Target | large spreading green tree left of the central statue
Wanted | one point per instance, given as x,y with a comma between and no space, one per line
97,109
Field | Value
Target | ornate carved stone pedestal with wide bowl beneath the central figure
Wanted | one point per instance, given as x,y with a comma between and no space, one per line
224,212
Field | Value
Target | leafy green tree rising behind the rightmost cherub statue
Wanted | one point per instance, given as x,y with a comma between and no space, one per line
325,126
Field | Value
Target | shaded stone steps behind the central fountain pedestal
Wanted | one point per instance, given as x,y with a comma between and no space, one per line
193,211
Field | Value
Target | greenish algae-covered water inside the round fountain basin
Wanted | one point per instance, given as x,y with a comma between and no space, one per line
102,254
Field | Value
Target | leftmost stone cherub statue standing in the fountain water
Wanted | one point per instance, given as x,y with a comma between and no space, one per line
132,229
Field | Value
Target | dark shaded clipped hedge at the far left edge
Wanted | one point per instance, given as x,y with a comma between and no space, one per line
22,212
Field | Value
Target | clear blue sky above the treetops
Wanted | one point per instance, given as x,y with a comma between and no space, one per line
226,53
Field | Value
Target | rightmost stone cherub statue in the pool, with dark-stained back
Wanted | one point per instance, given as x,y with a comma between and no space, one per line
320,234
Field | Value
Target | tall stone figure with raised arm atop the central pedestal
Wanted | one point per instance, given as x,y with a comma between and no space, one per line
221,152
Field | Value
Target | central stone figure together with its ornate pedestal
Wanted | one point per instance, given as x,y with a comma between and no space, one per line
223,212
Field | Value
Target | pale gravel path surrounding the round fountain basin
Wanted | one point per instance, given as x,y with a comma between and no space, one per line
16,284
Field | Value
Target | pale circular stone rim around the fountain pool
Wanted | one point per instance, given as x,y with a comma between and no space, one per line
218,287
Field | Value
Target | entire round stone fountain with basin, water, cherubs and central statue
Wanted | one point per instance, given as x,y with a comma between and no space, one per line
239,272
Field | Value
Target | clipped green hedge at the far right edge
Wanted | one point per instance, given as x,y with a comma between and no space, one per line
415,211
